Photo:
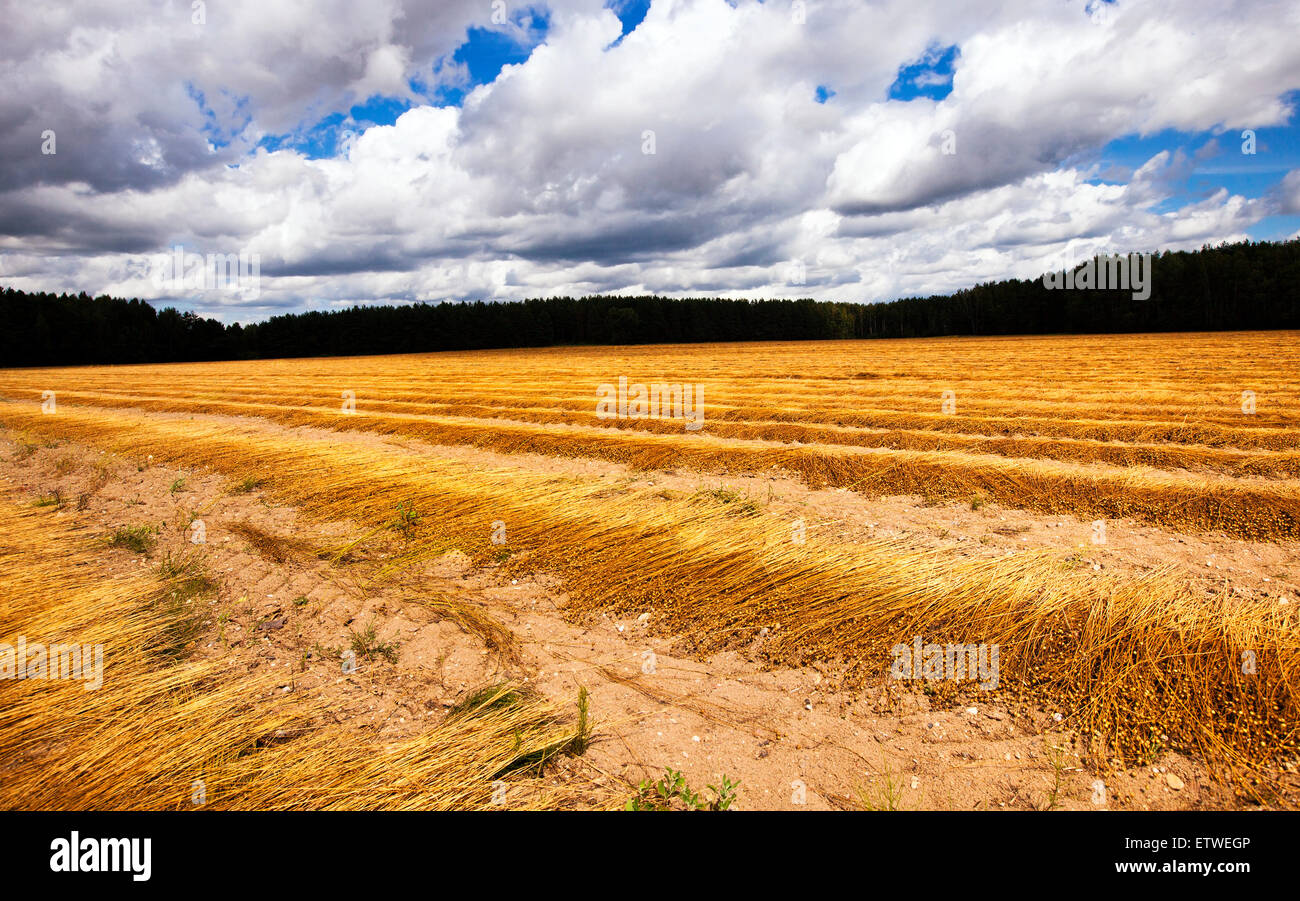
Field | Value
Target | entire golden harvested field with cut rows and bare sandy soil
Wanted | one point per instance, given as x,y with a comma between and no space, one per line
450,582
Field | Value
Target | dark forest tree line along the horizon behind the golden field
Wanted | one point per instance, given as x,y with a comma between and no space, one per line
1247,285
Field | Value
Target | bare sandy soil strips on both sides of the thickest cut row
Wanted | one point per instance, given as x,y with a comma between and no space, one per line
794,739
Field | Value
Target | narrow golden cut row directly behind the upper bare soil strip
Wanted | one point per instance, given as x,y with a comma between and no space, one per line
1245,509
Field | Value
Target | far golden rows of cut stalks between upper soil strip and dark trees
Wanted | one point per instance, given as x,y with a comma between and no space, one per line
1149,427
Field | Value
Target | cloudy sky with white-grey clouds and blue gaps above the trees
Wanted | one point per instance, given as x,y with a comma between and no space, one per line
393,151
